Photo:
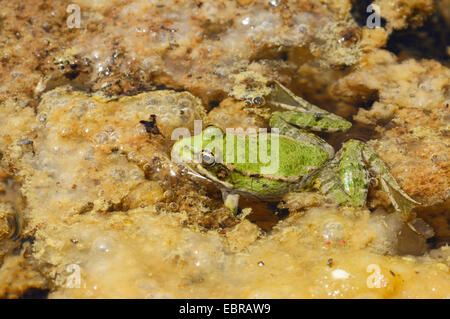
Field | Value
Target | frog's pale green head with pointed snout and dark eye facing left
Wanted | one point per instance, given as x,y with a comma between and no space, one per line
200,151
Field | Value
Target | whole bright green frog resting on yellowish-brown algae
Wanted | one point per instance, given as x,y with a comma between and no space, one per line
293,158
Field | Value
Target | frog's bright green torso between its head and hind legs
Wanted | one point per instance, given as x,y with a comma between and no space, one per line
278,167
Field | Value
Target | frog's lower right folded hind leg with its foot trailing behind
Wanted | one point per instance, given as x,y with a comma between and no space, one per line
347,176
